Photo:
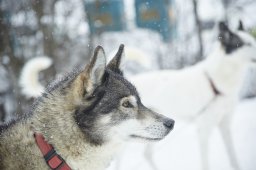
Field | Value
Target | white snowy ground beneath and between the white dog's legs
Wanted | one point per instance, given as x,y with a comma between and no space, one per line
180,149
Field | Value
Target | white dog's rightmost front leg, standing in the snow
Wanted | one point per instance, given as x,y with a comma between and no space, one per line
225,130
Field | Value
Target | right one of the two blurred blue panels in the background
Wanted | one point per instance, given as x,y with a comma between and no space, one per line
154,14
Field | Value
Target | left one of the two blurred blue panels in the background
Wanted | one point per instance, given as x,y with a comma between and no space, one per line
105,15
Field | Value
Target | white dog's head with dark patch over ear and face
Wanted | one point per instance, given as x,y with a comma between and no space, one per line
237,44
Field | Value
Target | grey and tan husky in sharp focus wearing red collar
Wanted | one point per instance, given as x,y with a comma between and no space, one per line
85,116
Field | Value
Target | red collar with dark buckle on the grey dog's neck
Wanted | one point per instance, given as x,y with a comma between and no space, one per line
53,160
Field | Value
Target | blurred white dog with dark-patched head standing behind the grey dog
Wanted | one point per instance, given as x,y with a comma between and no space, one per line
206,93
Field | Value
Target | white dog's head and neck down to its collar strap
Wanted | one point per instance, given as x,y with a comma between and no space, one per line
229,62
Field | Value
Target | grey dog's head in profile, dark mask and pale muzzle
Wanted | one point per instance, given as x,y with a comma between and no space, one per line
109,107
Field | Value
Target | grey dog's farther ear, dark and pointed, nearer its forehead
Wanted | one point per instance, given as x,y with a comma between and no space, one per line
117,62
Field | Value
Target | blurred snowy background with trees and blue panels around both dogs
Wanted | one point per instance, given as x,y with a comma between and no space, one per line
158,34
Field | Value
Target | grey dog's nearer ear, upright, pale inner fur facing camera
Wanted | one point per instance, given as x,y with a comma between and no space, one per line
92,75
